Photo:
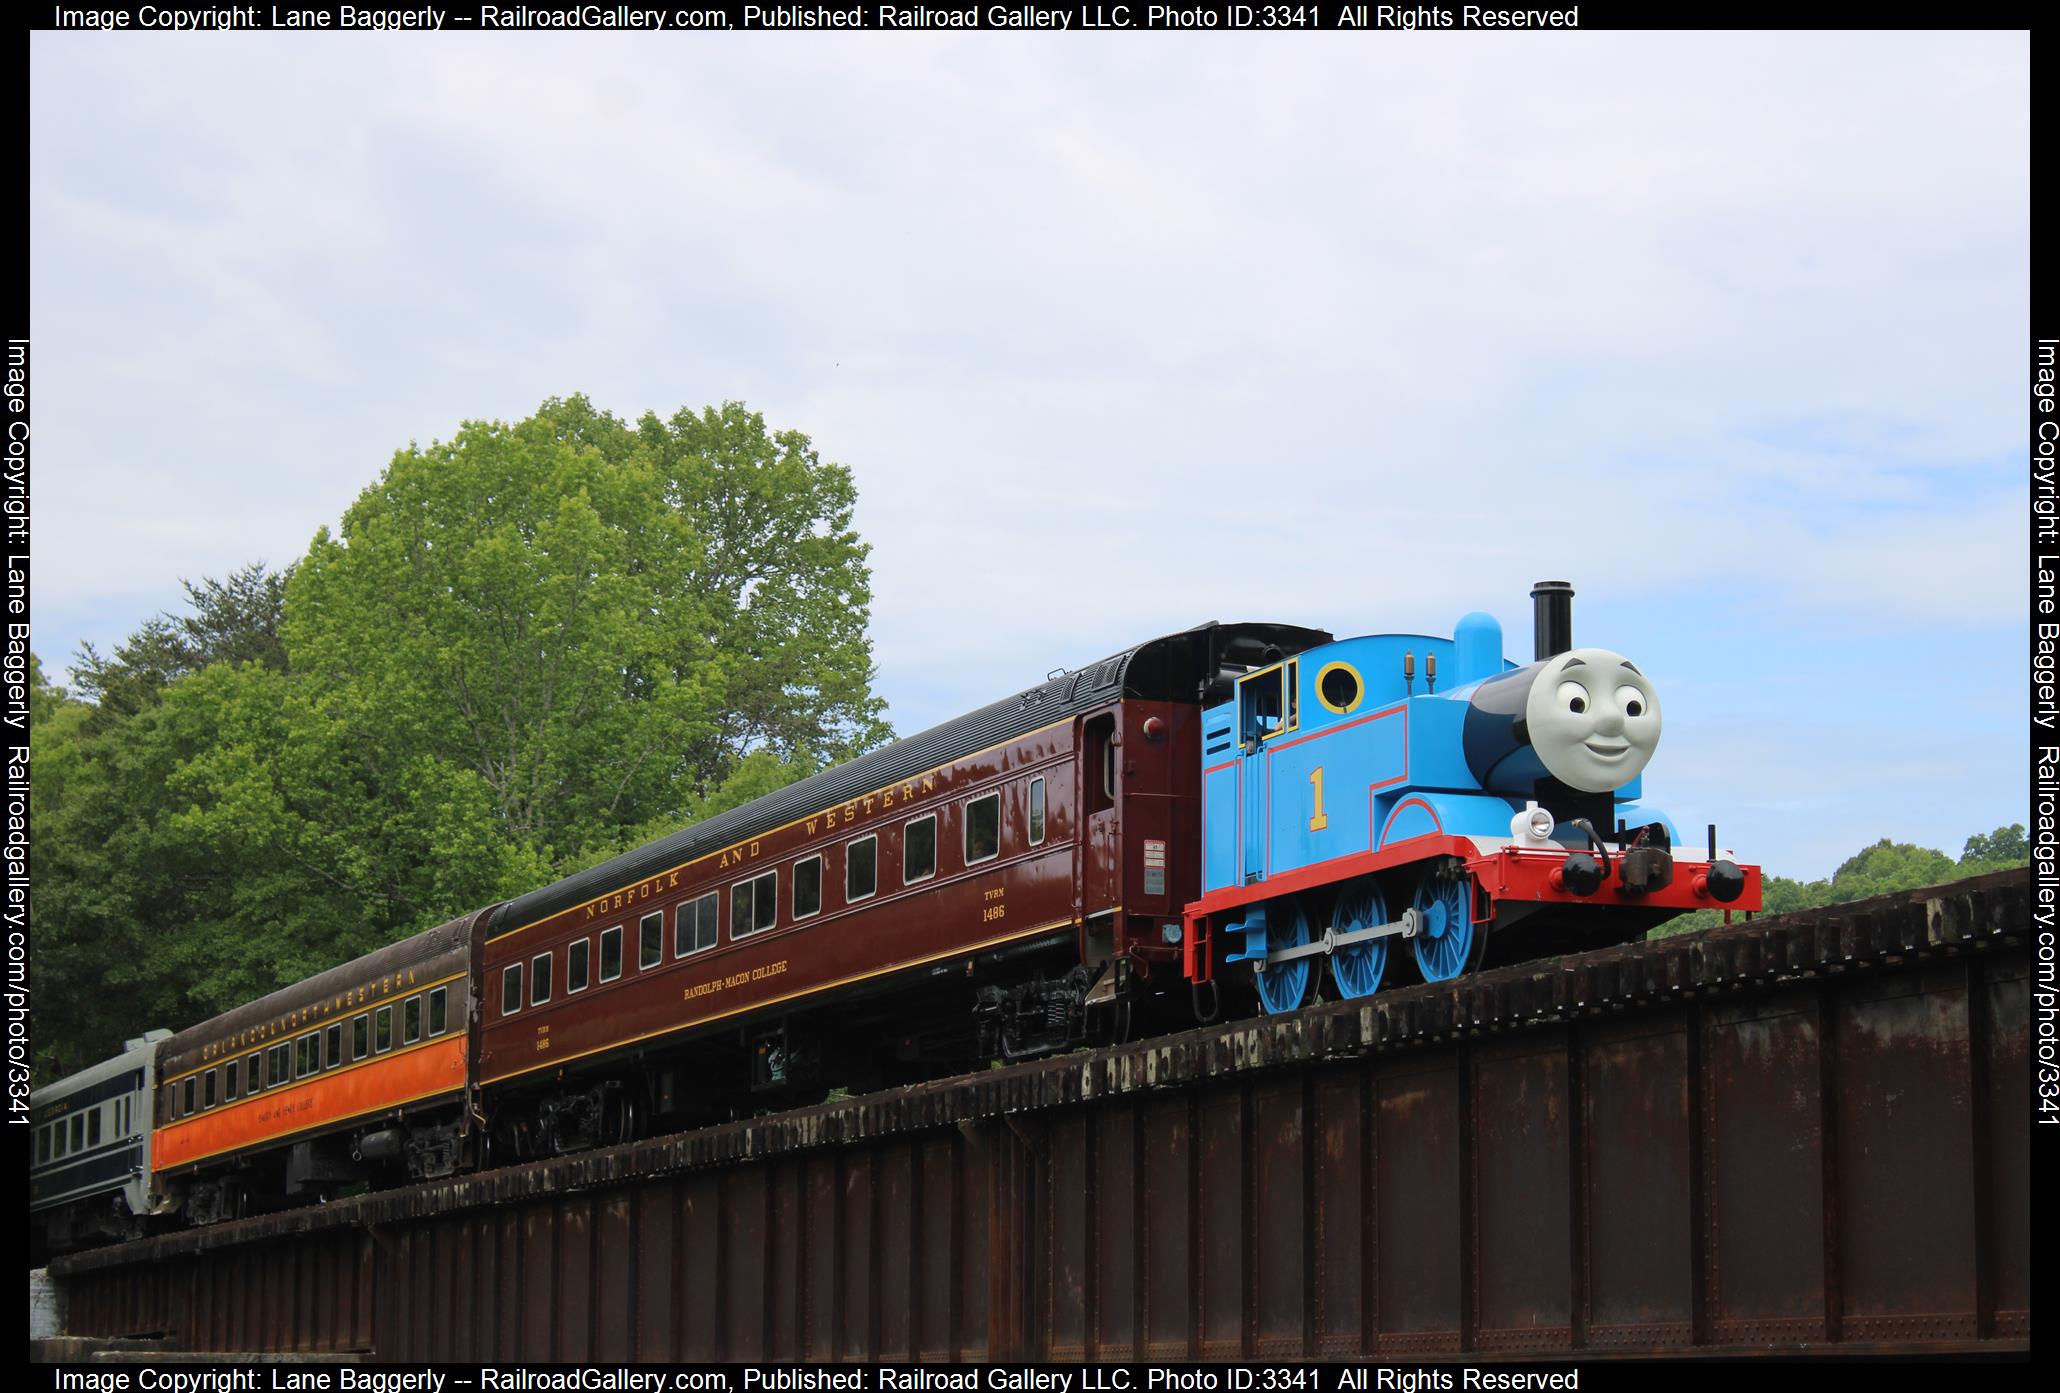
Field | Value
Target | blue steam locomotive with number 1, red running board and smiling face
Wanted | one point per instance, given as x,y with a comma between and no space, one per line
1431,792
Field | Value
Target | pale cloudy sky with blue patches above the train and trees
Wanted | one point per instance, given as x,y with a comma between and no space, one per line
1128,333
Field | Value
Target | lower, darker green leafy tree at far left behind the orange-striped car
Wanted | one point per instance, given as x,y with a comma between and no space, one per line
232,840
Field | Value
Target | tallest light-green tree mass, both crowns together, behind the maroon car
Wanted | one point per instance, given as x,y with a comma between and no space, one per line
600,621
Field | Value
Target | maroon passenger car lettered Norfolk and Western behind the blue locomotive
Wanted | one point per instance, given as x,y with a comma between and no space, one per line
1008,883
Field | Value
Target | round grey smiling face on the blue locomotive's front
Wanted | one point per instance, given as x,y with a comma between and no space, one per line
1593,720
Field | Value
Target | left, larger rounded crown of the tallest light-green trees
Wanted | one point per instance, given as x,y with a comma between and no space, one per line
518,605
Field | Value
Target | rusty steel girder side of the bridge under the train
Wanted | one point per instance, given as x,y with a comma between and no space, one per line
1804,1132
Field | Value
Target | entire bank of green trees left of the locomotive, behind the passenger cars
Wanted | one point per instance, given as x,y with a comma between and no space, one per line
524,650
